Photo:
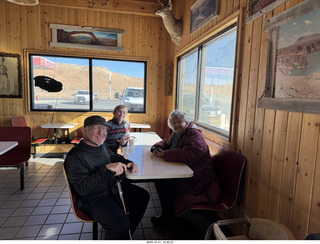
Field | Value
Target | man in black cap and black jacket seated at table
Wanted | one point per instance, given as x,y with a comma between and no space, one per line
93,171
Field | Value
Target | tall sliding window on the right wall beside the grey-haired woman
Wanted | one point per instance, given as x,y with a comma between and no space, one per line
206,79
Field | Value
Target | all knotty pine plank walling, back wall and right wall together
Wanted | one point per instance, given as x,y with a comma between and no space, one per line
282,176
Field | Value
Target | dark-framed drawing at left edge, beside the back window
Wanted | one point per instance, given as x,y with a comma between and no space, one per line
10,75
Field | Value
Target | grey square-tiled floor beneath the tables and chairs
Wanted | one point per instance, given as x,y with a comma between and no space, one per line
43,211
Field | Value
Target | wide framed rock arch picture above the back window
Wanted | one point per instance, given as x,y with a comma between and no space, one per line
86,37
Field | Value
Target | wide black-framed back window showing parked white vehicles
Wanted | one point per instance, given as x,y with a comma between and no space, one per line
86,84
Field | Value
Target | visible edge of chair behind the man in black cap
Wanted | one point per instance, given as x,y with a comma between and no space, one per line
76,211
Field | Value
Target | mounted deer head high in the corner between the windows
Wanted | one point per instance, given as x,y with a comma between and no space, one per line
173,26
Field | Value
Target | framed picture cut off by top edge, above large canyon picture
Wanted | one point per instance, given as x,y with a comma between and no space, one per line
260,7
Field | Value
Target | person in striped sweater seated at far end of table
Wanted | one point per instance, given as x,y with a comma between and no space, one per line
118,129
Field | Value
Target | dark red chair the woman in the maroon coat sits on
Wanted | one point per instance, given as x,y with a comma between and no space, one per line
229,167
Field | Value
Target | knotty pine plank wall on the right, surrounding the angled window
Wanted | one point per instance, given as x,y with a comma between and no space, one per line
282,175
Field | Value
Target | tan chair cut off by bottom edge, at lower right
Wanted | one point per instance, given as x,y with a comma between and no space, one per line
254,229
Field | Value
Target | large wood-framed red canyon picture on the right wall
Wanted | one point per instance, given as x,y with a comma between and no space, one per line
293,71
